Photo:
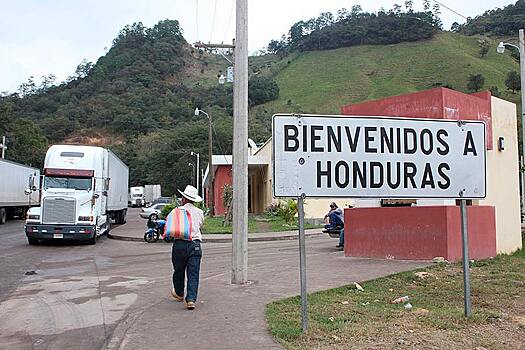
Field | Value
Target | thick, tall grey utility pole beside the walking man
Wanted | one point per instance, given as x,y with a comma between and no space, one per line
240,148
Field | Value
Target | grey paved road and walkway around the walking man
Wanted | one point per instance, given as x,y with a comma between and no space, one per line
115,294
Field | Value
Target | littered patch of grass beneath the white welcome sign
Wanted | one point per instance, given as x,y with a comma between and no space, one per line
345,318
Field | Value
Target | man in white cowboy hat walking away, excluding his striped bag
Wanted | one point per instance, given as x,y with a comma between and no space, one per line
186,254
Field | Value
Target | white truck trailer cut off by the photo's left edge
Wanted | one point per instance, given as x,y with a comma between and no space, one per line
15,179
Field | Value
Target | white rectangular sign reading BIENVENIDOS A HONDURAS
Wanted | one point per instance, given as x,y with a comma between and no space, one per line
377,157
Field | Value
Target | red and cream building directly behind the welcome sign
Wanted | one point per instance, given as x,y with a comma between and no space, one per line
432,228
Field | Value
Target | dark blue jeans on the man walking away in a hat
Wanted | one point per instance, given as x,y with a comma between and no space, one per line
186,258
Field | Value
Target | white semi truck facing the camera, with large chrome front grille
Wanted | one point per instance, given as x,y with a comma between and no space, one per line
83,189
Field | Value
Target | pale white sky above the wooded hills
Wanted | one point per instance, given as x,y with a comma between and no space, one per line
39,37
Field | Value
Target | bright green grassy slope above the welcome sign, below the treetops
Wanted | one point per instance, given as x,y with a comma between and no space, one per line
323,81
